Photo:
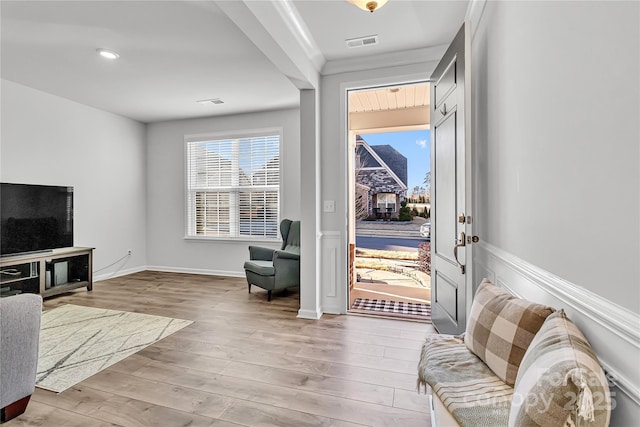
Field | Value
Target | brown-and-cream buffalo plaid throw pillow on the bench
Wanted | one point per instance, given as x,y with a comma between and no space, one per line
501,327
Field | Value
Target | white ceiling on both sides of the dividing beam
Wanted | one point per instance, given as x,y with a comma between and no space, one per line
174,53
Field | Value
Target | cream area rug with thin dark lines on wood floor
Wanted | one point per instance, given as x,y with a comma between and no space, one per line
77,342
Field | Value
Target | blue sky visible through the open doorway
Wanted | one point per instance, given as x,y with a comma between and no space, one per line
414,145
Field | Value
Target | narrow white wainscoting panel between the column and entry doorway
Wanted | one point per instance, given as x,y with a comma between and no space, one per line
333,275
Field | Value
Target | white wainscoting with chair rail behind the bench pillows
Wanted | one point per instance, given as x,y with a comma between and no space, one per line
612,330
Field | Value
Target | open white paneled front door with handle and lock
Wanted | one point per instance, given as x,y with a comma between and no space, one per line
451,283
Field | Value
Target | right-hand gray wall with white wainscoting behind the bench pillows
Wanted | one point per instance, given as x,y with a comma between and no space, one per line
556,89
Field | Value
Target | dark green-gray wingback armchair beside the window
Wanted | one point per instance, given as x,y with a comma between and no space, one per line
276,269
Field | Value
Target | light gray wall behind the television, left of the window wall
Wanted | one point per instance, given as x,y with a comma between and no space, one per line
50,140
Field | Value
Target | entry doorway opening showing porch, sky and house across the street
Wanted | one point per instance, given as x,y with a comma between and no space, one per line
389,201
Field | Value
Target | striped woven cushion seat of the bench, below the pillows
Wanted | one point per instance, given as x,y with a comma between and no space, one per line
473,394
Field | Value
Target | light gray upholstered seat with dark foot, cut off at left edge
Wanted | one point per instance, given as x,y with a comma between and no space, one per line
19,338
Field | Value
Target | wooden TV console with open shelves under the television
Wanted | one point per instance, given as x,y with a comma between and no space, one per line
47,273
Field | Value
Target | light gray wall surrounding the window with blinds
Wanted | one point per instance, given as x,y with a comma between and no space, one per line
167,248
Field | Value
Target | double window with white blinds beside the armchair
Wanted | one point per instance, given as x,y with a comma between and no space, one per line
233,186
